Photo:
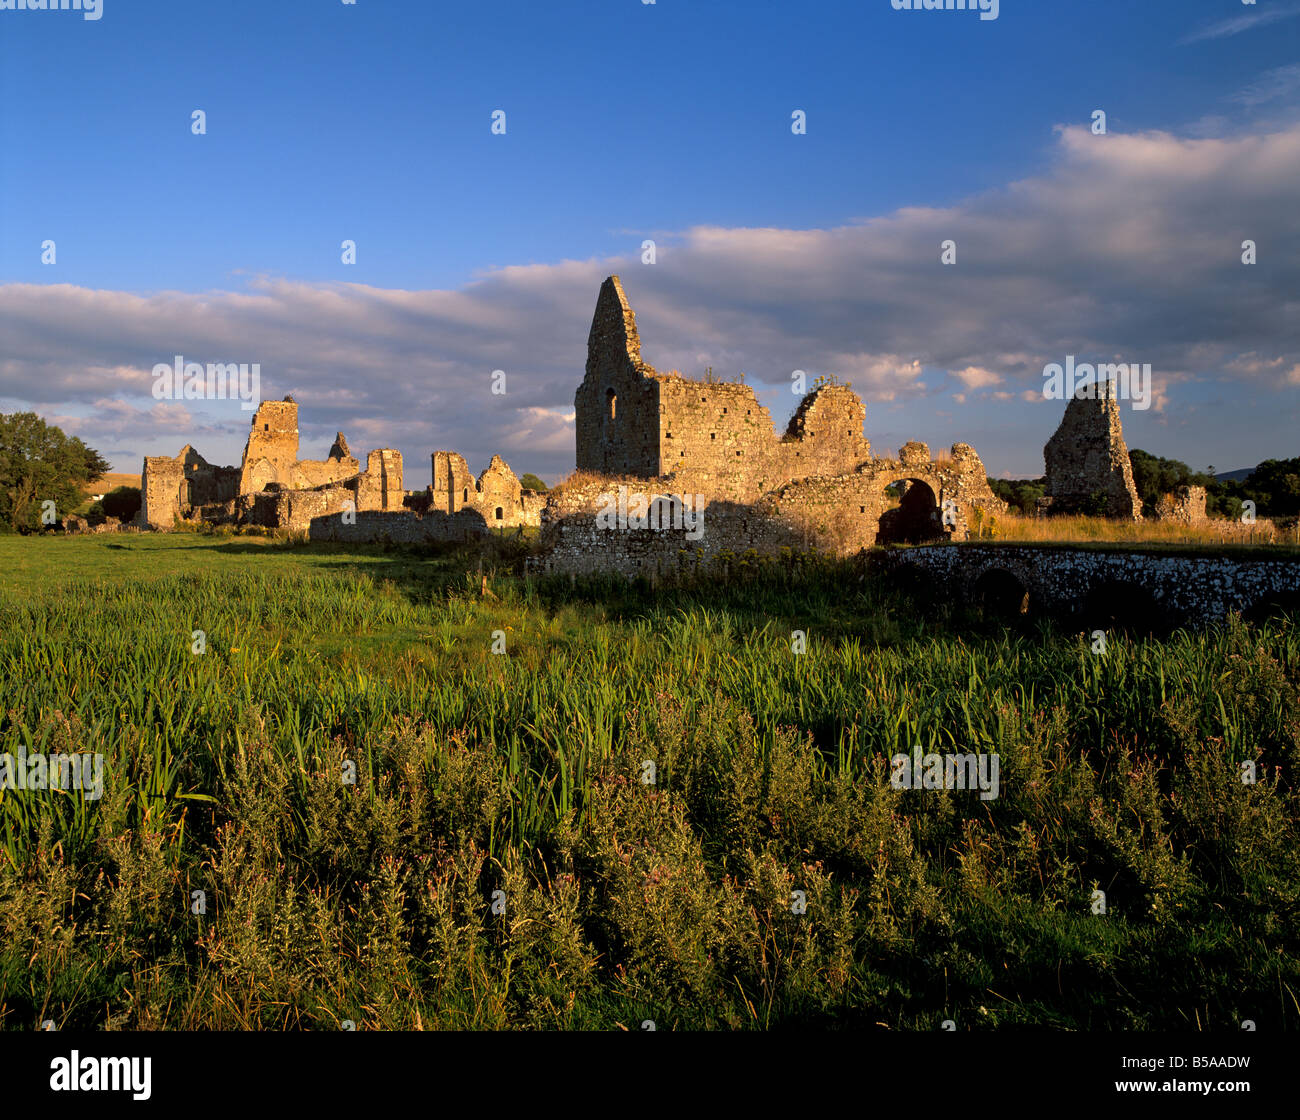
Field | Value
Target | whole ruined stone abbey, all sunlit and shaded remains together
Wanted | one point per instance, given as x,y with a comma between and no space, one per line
671,471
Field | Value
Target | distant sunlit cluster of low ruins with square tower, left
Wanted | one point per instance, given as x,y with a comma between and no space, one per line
331,500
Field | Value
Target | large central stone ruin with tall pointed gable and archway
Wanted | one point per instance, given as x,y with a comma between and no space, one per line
670,441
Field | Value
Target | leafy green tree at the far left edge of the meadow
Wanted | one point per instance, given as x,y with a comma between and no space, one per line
40,465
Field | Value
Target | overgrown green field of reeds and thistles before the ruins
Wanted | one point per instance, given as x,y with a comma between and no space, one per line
522,772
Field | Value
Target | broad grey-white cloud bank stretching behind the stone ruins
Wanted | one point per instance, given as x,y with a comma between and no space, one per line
1126,249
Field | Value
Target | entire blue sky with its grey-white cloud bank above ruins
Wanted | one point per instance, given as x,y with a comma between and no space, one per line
328,121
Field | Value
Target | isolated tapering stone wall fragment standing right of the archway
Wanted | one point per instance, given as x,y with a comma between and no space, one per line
1087,462
